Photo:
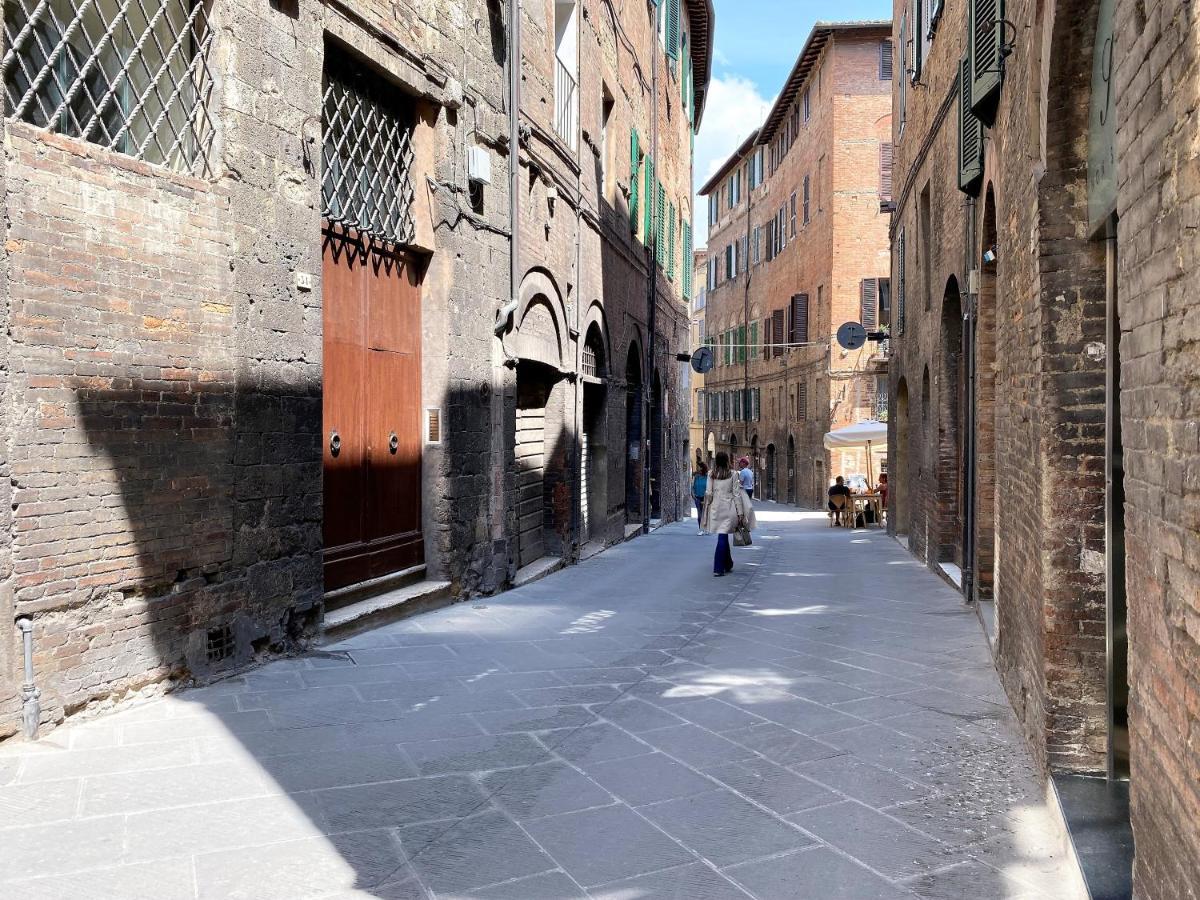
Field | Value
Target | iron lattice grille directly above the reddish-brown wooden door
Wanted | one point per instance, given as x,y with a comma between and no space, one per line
368,155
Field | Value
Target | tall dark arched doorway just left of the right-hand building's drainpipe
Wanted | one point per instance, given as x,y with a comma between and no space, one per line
950,430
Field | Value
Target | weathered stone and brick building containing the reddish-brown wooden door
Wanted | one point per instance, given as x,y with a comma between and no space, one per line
271,347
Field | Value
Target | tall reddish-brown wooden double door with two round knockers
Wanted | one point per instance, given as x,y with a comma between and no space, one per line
373,401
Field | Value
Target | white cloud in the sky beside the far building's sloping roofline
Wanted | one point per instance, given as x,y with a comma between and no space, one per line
734,110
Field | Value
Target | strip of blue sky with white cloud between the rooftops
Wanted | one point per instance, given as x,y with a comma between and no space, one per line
757,46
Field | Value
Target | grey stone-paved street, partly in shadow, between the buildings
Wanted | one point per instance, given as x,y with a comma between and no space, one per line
825,723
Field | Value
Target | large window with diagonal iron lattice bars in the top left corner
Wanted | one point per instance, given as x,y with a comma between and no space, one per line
131,76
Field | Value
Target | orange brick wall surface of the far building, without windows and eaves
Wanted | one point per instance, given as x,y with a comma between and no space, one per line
844,242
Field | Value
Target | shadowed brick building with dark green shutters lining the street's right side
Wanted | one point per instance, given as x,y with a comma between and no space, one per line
1045,377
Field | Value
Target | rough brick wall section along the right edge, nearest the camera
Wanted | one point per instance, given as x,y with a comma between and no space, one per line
1157,79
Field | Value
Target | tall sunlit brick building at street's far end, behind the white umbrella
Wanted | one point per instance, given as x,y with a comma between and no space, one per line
799,247
